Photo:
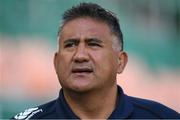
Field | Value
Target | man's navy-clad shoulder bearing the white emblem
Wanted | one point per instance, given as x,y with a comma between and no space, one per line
37,112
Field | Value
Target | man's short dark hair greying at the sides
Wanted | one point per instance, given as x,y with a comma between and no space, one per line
94,11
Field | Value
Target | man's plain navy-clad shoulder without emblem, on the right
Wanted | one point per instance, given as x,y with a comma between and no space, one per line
149,107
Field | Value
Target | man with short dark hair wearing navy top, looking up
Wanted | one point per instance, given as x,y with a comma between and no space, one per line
89,57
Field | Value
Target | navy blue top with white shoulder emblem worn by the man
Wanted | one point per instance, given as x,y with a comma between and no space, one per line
127,107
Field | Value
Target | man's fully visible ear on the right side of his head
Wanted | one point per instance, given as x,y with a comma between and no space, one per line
122,61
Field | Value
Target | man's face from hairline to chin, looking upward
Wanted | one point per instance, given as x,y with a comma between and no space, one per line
86,59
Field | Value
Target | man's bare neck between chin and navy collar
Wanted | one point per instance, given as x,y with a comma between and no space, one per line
94,104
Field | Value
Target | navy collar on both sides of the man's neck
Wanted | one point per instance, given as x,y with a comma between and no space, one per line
123,109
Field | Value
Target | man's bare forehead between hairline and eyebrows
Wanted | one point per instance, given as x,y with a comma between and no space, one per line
85,27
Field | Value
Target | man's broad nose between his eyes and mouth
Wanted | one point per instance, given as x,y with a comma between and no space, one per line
81,54
